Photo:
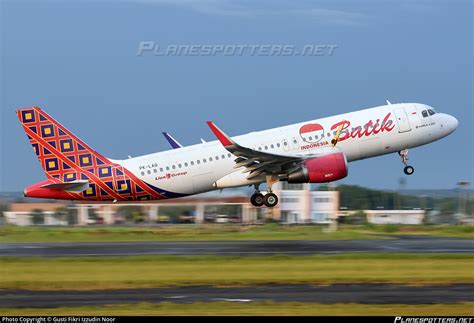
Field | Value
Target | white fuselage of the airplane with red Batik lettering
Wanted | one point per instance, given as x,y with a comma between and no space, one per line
365,133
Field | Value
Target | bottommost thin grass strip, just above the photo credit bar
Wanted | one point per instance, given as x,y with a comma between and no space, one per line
262,308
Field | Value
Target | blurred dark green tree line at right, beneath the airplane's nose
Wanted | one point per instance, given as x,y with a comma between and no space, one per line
355,197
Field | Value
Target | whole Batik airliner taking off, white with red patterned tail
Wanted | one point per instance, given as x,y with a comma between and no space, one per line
316,151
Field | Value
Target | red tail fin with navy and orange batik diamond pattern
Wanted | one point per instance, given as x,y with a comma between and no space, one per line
65,158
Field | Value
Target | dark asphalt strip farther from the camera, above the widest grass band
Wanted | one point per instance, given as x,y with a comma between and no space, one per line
412,244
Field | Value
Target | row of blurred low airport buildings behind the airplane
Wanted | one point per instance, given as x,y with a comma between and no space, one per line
298,205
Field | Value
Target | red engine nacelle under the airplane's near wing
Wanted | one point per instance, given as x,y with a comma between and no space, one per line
320,169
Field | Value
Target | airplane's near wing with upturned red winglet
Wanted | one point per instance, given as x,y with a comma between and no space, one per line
257,162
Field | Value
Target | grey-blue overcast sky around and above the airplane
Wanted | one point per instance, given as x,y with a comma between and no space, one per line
78,61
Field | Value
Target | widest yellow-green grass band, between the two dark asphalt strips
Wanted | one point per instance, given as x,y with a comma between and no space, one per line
158,271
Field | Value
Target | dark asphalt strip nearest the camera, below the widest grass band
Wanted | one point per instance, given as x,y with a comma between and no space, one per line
339,293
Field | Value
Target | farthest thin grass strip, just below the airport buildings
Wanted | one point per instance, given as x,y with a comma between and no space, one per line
221,232
